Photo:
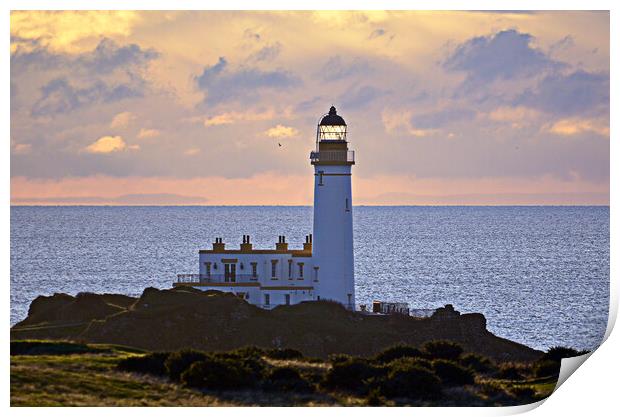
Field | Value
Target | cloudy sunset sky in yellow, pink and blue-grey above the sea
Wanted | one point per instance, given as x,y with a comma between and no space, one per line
446,108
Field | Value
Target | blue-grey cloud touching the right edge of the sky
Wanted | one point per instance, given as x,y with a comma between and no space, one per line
569,94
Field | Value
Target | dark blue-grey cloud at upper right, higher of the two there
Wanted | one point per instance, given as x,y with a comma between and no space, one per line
504,55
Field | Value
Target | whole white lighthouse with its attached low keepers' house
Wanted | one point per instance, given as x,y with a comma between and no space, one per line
321,270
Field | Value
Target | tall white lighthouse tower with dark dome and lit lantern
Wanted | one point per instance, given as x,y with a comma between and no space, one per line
332,244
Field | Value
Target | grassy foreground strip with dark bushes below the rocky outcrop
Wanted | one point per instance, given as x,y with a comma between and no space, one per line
437,373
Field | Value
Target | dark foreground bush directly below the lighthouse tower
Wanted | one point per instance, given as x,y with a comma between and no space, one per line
352,375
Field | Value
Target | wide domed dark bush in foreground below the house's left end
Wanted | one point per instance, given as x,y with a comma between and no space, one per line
218,373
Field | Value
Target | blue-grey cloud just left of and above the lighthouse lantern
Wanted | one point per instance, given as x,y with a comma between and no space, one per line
222,85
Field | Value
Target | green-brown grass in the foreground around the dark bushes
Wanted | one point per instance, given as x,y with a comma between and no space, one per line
65,374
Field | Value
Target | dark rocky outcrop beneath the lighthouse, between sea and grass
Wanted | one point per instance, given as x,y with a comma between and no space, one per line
190,318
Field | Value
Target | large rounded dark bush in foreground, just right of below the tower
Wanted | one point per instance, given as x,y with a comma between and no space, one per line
411,382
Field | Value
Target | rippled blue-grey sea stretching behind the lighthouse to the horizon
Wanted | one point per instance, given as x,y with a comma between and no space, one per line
540,275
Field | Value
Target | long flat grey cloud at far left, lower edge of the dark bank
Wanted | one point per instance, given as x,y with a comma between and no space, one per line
59,96
